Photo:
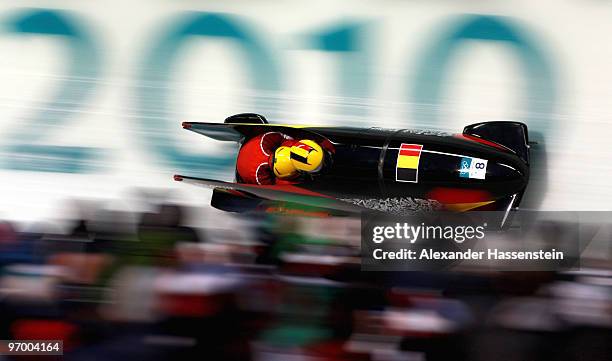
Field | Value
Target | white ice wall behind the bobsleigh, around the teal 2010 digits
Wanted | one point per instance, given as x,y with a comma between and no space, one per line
211,81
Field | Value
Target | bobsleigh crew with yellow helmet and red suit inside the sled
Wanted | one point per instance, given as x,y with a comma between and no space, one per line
276,158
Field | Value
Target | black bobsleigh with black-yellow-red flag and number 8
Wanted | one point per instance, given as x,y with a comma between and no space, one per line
397,171
